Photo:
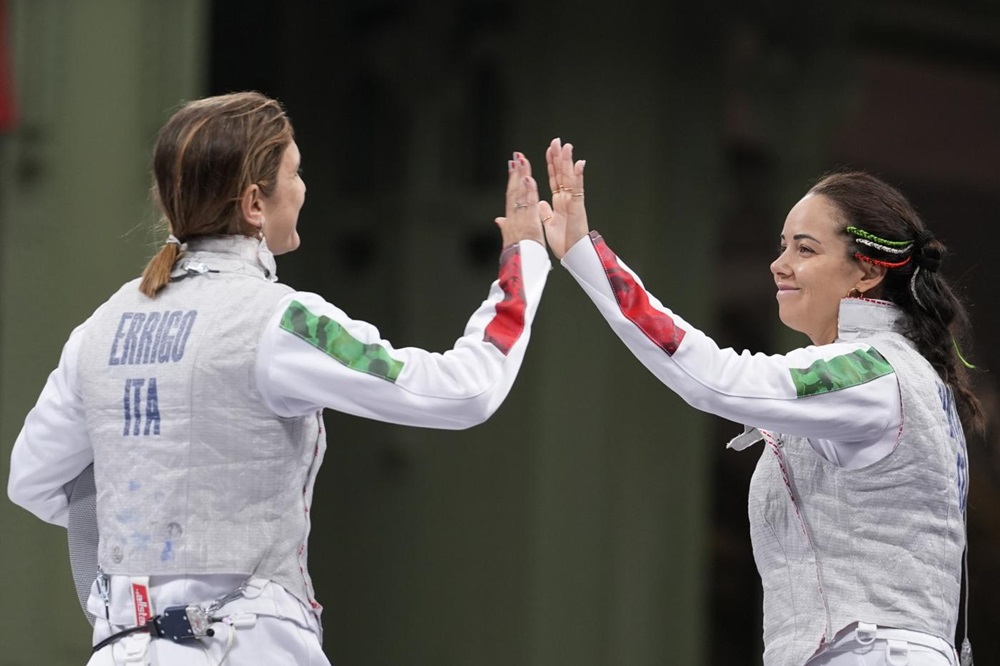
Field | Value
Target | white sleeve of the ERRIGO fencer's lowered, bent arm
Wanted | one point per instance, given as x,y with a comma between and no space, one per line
53,446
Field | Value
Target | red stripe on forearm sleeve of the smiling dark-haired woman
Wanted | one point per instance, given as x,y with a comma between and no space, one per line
634,302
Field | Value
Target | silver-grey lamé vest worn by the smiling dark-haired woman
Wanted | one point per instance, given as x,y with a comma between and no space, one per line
879,544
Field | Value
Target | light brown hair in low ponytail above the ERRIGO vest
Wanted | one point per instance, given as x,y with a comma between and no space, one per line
206,156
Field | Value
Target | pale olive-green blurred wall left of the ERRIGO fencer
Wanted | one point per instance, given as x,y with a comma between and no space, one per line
95,80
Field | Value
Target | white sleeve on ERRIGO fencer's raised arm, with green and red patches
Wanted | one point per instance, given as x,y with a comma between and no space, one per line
312,355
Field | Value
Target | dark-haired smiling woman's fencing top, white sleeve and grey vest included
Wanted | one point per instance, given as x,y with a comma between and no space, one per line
877,531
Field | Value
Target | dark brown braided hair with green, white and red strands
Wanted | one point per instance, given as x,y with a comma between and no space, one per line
935,318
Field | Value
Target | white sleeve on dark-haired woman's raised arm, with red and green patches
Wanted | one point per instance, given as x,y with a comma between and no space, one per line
845,392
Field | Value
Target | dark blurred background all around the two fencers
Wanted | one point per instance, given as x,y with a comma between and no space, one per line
596,519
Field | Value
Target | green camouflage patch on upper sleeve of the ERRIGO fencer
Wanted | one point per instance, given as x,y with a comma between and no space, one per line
330,338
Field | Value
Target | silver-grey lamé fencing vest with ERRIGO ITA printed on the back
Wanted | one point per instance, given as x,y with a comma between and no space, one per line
194,474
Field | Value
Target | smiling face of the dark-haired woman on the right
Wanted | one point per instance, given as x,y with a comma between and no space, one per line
814,270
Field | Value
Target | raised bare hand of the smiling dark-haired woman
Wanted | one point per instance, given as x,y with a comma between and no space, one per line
566,219
